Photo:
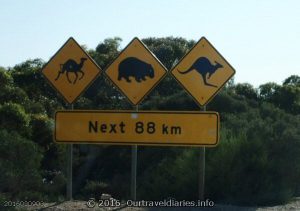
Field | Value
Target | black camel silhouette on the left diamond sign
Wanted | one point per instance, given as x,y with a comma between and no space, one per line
71,66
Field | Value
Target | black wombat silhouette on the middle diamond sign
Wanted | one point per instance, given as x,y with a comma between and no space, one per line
136,68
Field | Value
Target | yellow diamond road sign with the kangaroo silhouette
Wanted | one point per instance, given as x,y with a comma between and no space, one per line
203,71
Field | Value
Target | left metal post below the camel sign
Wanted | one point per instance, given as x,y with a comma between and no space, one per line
70,168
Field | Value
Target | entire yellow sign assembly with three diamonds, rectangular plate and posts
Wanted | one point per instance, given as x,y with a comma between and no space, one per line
203,71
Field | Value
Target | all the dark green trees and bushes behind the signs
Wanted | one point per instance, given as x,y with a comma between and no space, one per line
256,162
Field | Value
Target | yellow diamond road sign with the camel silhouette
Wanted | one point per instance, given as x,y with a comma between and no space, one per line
71,70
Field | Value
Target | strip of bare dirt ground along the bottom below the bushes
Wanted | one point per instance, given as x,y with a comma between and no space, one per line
82,206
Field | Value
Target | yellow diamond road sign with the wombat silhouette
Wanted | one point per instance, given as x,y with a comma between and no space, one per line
136,71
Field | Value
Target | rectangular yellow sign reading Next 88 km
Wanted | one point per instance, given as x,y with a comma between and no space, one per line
137,128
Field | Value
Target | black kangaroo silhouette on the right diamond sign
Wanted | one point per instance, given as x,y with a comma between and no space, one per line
203,66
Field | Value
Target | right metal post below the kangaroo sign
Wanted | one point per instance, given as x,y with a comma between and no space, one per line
202,169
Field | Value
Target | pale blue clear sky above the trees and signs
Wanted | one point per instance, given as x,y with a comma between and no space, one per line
259,38
